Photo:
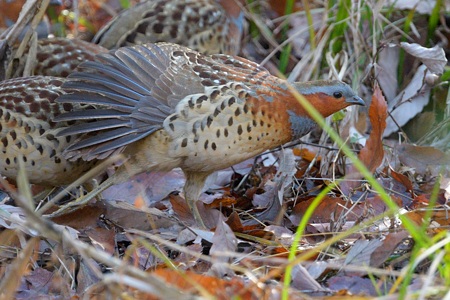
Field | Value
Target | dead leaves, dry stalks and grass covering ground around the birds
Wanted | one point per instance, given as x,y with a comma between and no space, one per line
359,208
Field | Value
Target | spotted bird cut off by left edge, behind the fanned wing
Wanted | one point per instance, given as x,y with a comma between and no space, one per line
28,134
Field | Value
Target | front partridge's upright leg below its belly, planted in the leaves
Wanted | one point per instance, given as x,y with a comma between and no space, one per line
192,190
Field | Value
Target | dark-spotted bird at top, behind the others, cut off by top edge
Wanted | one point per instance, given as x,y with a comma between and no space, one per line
208,26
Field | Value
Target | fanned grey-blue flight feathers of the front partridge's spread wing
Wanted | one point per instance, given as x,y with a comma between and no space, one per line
125,96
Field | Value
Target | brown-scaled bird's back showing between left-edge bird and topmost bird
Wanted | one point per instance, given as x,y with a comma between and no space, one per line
59,57
